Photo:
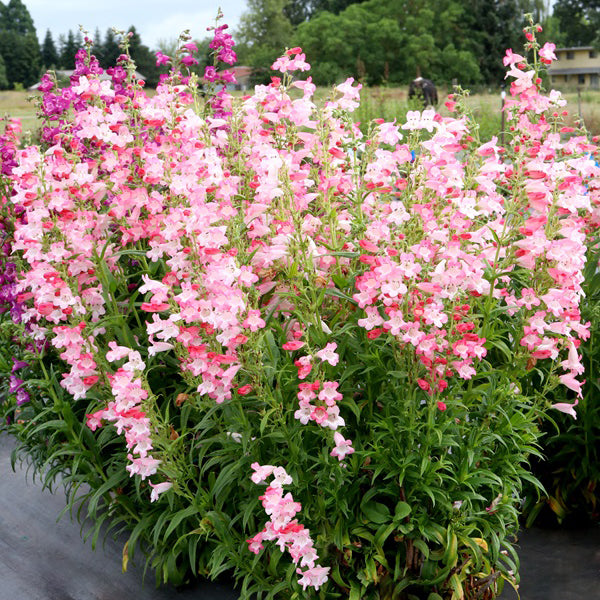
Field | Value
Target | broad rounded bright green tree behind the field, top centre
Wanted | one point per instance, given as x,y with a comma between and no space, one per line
390,40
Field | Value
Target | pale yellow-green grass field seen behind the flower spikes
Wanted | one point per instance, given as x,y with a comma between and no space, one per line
386,103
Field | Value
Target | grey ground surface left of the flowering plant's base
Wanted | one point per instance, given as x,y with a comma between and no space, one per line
42,559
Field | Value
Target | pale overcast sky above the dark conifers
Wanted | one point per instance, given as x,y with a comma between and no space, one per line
154,20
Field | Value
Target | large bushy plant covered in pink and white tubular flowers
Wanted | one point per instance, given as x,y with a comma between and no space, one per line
267,344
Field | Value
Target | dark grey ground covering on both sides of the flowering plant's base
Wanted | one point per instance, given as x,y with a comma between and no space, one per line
42,559
